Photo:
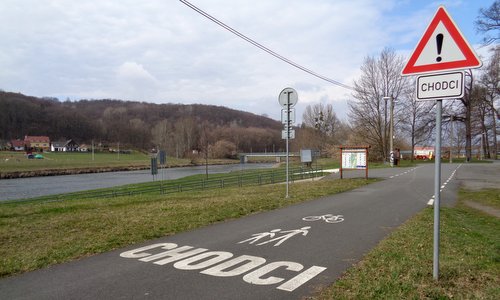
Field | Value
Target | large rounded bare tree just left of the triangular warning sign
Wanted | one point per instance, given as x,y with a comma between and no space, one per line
369,112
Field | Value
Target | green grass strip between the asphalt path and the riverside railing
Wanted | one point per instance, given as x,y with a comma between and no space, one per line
37,234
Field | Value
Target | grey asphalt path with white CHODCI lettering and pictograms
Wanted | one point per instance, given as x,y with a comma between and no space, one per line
271,255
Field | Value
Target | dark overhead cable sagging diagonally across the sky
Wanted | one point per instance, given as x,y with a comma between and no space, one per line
260,46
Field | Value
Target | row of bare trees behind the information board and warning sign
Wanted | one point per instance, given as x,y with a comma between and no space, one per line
469,122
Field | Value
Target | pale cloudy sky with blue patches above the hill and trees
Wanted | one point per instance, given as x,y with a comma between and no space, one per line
162,51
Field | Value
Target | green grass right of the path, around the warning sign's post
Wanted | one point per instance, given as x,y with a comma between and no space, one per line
400,267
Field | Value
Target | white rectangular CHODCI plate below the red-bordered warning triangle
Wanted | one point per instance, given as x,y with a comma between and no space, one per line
440,86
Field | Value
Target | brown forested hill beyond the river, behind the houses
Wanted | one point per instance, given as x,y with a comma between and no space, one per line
136,124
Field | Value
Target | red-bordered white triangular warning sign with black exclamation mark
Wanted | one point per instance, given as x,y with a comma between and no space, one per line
441,48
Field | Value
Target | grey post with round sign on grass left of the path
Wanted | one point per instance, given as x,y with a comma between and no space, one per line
287,99
